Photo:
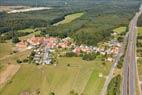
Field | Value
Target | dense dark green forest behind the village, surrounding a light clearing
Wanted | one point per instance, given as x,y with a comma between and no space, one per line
94,26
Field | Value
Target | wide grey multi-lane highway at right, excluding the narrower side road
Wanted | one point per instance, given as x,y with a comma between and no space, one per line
129,67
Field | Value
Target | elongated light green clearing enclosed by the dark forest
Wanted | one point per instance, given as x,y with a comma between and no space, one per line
70,18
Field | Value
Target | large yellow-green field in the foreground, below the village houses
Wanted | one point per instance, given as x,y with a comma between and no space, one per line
81,76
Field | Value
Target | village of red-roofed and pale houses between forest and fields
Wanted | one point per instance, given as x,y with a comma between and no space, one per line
45,47
